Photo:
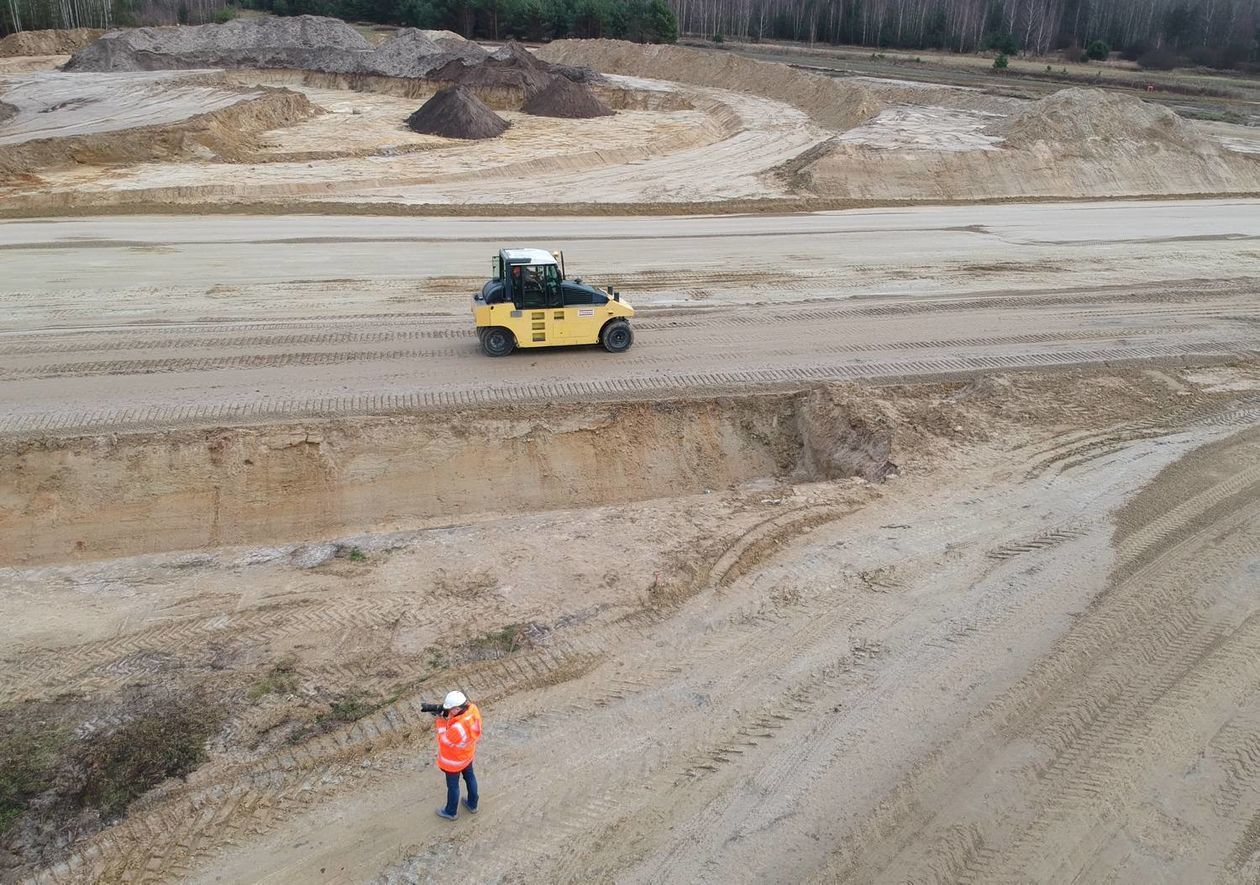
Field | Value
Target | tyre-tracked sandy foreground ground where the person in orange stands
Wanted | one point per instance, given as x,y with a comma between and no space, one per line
1030,656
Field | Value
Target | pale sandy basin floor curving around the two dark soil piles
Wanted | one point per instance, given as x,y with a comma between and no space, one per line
364,153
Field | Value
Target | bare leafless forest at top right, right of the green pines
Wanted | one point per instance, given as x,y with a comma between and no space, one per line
966,26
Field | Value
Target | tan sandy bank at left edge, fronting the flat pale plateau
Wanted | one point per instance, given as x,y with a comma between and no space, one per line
227,134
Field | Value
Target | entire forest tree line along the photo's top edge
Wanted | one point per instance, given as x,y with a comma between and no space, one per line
1218,33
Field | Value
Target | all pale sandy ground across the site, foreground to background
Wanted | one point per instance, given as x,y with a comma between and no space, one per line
905,545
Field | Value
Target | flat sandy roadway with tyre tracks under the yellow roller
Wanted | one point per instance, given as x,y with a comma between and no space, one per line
230,317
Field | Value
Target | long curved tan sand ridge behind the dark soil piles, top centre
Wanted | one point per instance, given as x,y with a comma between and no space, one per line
830,103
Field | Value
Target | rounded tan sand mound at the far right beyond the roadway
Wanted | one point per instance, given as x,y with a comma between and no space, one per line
1089,120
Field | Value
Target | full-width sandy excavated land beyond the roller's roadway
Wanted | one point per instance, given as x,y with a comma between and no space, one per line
731,133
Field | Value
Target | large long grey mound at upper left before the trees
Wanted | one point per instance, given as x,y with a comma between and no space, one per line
304,42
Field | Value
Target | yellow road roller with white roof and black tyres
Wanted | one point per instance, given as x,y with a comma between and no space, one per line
529,303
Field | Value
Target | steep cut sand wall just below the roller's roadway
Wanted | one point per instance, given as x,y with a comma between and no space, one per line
99,497
